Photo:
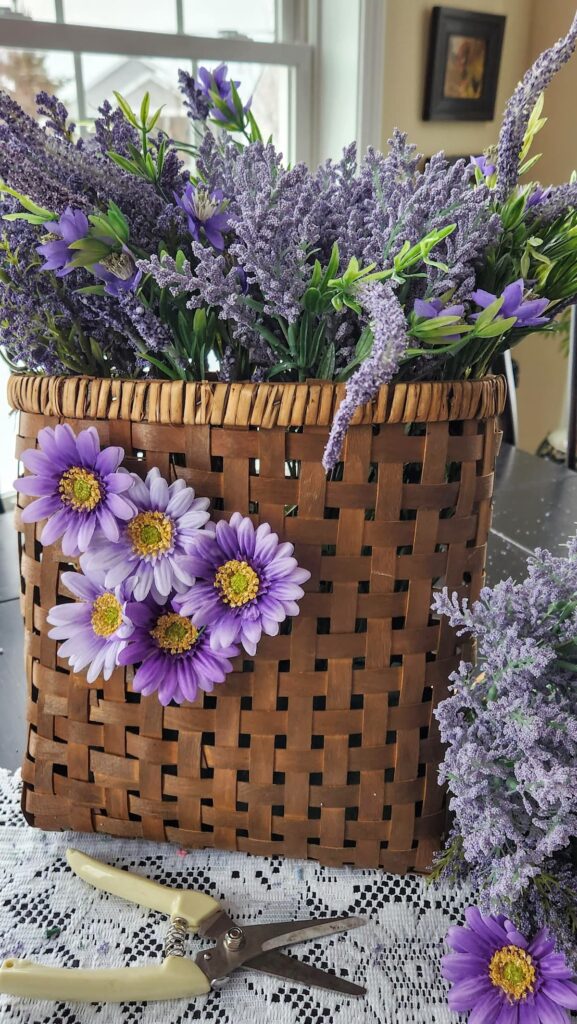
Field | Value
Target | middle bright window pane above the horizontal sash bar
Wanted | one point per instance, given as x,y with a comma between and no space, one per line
123,15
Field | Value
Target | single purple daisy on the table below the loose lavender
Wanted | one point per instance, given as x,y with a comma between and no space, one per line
505,979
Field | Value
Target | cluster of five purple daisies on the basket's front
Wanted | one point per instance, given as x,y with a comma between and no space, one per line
160,587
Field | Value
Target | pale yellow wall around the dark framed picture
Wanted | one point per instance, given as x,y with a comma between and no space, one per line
531,26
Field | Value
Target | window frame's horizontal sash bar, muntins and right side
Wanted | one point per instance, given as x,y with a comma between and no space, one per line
76,39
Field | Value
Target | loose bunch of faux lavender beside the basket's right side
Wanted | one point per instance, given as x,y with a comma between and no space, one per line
511,734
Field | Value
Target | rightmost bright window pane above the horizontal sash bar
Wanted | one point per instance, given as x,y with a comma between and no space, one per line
231,19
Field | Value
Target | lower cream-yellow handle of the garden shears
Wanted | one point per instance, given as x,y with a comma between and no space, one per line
176,978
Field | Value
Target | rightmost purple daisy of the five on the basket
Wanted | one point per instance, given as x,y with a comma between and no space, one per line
248,583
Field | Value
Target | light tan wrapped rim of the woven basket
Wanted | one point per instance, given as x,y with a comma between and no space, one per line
244,404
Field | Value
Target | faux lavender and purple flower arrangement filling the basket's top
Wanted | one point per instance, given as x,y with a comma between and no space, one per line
128,253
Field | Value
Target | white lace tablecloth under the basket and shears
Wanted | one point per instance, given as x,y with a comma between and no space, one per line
49,914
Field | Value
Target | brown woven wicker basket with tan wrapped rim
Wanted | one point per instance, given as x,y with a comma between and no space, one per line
324,746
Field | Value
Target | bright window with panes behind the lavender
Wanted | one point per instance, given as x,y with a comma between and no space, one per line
85,53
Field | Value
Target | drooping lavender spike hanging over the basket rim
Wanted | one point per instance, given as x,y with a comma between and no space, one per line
391,339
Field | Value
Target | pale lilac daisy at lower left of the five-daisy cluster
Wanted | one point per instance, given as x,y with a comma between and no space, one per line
96,628
